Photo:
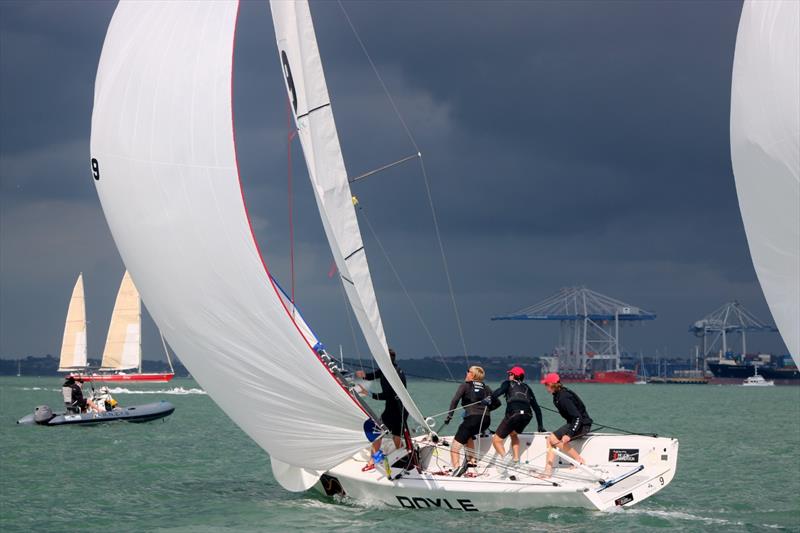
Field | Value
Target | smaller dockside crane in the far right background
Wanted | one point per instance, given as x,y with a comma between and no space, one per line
730,318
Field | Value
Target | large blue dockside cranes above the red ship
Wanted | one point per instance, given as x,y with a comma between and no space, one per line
589,337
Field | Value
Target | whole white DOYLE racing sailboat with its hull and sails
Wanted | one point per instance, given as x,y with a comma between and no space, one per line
163,150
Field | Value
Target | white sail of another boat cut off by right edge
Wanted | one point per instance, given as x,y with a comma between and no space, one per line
765,152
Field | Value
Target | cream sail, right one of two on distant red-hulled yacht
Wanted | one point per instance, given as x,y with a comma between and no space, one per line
123,349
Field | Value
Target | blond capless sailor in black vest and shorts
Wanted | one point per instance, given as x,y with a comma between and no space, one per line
476,417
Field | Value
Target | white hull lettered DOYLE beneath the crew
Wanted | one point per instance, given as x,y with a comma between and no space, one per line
649,464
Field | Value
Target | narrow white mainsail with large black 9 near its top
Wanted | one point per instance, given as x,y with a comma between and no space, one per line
308,93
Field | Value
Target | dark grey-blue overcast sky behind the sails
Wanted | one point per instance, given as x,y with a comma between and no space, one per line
566,143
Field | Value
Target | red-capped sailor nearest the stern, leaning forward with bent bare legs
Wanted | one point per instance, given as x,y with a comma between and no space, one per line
574,412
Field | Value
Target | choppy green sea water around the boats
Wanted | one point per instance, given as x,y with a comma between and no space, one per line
738,469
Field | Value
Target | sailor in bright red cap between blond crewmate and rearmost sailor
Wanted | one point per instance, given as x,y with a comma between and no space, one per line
520,406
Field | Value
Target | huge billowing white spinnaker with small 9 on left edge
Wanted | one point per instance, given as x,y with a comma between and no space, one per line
165,166
